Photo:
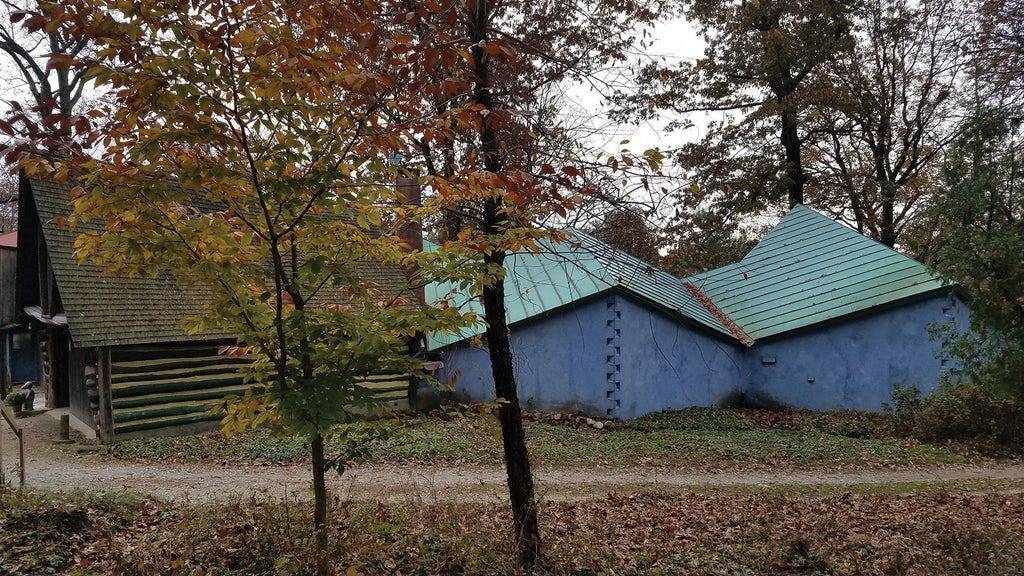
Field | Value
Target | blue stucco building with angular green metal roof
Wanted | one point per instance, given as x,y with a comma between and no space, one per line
817,316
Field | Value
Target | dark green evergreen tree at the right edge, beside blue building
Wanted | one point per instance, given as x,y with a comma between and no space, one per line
983,238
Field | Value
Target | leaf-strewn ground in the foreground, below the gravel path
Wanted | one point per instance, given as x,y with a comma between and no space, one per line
657,534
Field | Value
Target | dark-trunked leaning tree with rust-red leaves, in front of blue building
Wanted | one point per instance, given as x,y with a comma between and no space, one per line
523,172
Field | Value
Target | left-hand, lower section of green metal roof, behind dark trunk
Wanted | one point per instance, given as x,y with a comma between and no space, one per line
568,272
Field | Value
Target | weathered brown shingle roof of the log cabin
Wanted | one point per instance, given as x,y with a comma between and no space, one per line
106,311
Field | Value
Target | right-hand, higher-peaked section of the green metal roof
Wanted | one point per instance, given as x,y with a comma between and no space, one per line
808,270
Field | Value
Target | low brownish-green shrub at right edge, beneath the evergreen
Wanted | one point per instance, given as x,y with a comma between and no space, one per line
959,413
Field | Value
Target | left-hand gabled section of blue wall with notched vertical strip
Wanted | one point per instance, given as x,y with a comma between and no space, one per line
610,357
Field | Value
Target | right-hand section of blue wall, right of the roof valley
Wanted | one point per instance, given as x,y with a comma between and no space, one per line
855,365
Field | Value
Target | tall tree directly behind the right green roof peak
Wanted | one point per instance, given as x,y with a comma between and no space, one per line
752,93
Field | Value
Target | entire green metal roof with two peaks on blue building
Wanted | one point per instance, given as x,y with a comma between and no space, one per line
808,270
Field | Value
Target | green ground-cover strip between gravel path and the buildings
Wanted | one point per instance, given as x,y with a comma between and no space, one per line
699,438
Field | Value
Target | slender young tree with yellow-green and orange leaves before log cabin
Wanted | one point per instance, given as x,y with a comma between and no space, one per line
246,151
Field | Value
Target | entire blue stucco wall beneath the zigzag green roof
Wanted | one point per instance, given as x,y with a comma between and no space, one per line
616,357
